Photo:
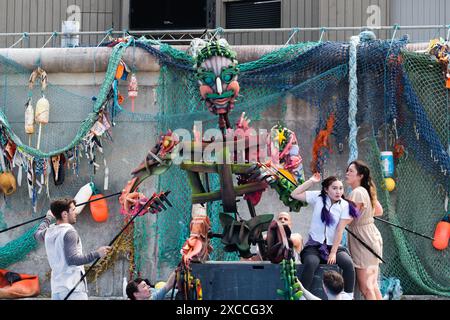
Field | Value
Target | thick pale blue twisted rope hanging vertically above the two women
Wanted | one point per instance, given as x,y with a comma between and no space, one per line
353,99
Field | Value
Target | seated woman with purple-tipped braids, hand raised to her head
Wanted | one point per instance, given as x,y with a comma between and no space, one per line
331,214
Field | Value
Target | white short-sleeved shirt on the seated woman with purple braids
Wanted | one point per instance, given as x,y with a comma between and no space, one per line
339,210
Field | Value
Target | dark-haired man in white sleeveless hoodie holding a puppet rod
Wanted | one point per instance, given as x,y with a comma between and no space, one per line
64,250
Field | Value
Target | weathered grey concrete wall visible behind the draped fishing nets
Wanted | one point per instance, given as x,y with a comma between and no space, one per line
131,141
